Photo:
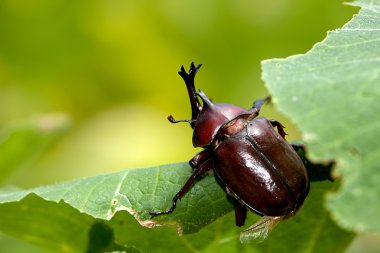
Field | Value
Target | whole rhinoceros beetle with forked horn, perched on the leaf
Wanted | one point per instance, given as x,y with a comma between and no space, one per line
256,165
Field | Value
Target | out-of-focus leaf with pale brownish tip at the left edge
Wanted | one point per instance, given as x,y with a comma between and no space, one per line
21,142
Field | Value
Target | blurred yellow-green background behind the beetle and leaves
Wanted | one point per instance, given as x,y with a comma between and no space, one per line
94,81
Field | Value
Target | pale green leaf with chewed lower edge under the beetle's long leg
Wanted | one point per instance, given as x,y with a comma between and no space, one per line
138,192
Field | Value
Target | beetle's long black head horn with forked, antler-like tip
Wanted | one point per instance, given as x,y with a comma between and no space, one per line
189,77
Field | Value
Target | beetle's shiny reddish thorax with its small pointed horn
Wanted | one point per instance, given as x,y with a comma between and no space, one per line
211,118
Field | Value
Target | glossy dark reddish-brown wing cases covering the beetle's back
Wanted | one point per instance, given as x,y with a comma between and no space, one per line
261,170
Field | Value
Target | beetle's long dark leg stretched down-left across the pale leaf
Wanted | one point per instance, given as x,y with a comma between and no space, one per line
206,166
